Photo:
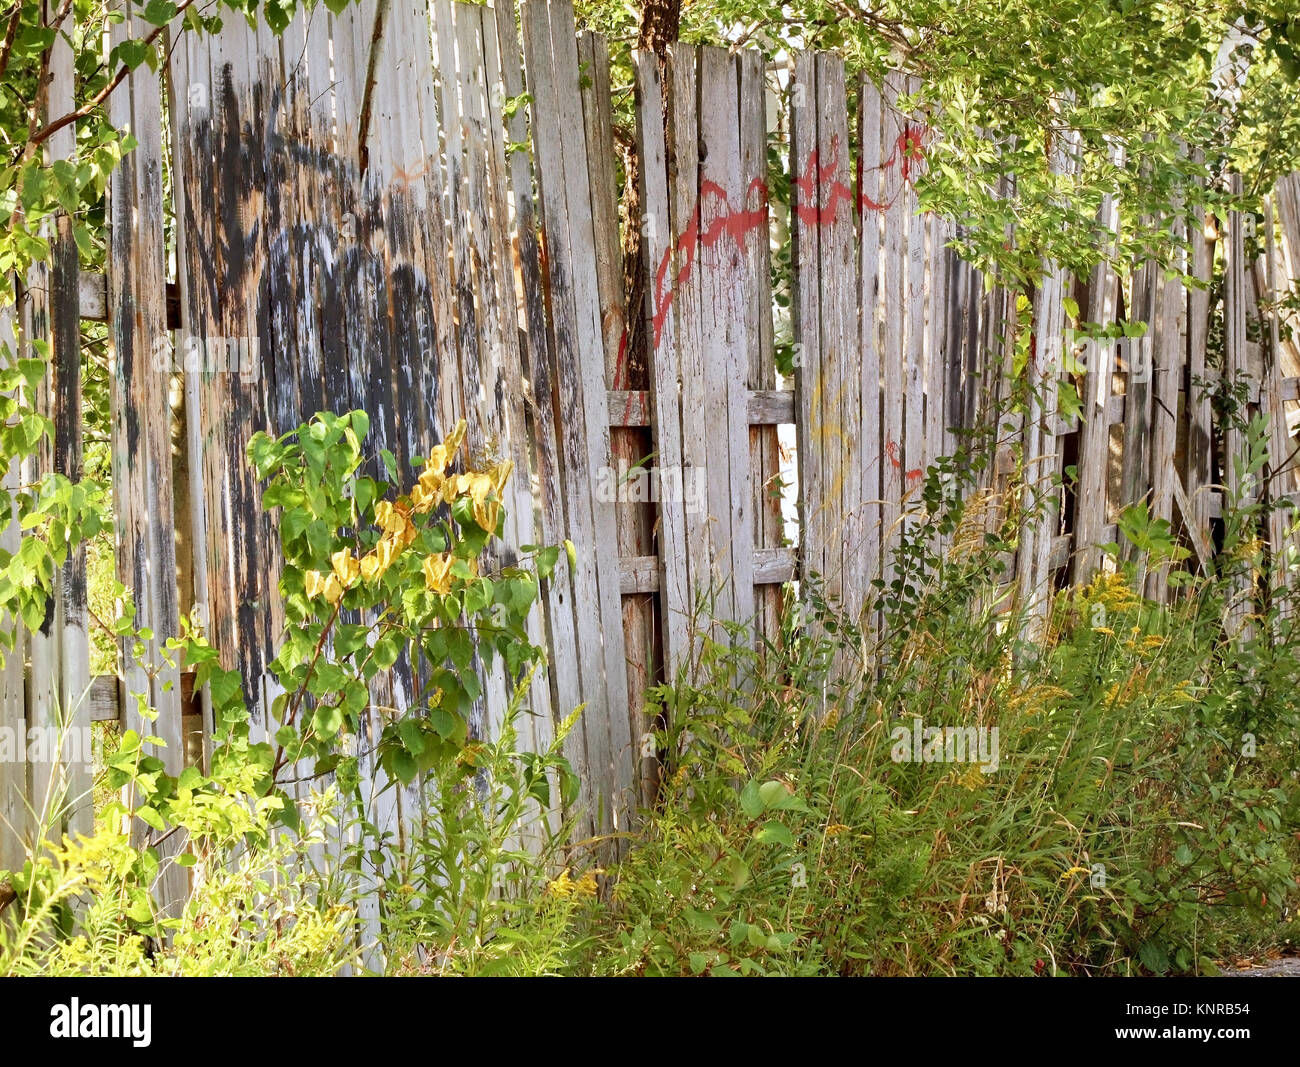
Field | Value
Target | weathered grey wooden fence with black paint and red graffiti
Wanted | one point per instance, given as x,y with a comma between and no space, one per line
357,228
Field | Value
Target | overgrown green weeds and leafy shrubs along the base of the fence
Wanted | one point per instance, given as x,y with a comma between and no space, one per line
1124,803
